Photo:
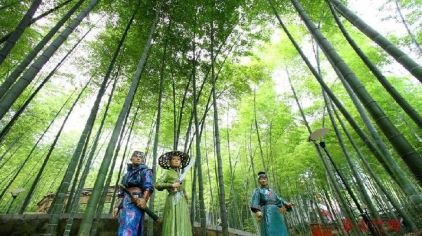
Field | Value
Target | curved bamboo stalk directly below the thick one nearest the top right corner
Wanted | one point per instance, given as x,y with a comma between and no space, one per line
410,111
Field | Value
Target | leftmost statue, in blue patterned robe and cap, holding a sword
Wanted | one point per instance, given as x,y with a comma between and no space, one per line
138,180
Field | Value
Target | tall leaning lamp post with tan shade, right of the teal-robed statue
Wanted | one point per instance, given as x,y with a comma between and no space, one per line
320,134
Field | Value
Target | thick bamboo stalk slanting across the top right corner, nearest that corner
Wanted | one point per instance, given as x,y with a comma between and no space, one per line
401,57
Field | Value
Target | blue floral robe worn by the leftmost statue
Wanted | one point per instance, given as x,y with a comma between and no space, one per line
131,218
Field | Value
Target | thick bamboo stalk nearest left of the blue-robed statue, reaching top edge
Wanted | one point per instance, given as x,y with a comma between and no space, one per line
86,223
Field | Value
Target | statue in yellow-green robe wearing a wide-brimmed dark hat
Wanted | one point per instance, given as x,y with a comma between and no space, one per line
176,219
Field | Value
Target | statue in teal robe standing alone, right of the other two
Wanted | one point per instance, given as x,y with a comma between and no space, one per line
269,209
